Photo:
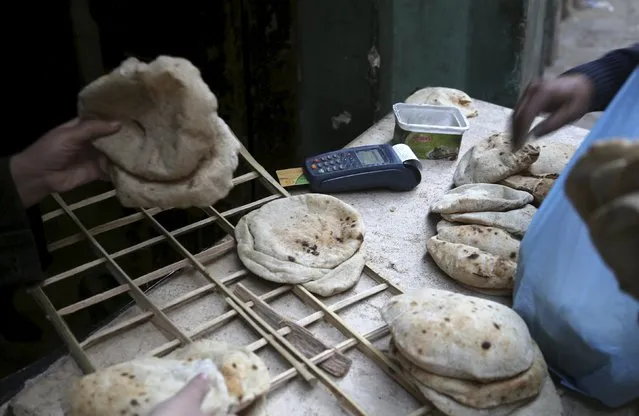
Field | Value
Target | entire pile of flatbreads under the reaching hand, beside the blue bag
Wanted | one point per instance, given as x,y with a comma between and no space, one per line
490,210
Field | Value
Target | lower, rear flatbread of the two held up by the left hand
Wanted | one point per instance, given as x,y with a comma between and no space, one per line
211,182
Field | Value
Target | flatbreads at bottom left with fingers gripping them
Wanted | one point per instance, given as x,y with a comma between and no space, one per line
238,378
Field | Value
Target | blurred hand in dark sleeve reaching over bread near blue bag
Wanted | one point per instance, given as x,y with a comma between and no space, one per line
565,99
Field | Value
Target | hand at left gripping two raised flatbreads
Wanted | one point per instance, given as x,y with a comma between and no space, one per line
63,159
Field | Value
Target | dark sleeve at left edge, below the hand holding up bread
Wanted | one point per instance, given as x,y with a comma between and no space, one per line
19,261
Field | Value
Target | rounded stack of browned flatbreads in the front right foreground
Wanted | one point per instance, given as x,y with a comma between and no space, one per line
469,356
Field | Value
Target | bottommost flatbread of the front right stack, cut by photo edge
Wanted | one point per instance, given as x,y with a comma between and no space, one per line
546,403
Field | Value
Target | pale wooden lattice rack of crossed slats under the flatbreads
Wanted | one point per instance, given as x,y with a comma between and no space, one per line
306,367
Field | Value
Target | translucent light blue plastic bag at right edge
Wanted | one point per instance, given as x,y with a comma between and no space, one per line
586,327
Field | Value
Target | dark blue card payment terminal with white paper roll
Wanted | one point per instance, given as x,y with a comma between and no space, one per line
366,167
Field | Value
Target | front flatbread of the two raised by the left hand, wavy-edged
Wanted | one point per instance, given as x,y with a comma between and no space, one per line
164,108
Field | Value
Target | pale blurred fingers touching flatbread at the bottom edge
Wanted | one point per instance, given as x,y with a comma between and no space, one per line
186,402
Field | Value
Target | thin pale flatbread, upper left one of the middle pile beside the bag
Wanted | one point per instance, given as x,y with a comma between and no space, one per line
481,197
